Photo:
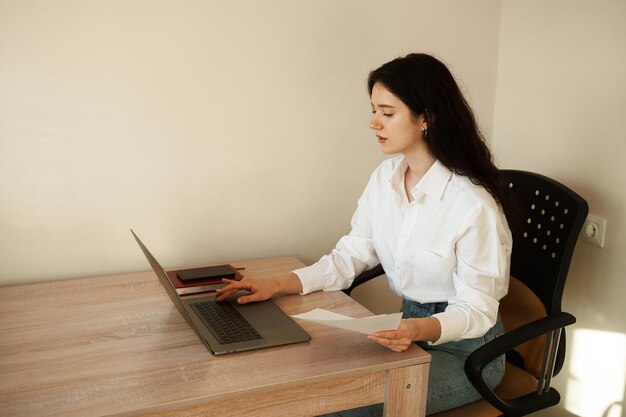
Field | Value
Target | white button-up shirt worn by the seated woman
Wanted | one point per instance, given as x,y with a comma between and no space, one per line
450,244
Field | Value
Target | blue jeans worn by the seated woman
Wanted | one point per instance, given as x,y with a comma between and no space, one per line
448,387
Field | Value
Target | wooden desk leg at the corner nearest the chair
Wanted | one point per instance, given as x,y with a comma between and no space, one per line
405,391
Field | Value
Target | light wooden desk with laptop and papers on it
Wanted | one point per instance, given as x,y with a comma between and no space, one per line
116,346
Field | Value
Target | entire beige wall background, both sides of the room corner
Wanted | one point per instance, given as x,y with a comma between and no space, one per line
230,130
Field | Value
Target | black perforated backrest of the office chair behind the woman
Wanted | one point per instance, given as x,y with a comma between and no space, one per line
550,219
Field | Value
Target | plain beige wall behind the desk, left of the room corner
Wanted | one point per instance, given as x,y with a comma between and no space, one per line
218,130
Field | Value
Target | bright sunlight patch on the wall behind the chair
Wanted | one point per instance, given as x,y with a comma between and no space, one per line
597,374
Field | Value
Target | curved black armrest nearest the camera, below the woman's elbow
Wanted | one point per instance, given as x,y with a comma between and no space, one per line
478,359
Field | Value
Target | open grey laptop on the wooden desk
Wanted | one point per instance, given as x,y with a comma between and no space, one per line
228,327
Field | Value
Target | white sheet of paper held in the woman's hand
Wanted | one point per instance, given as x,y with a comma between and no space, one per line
367,325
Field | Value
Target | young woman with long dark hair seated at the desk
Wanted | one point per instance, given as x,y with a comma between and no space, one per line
433,216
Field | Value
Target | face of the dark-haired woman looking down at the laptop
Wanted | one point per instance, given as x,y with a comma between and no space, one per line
396,129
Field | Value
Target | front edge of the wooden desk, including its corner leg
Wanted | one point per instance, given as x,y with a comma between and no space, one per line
400,389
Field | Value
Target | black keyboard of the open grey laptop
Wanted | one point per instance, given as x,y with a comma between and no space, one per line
225,322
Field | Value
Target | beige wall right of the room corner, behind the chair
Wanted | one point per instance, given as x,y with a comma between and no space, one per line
561,110
